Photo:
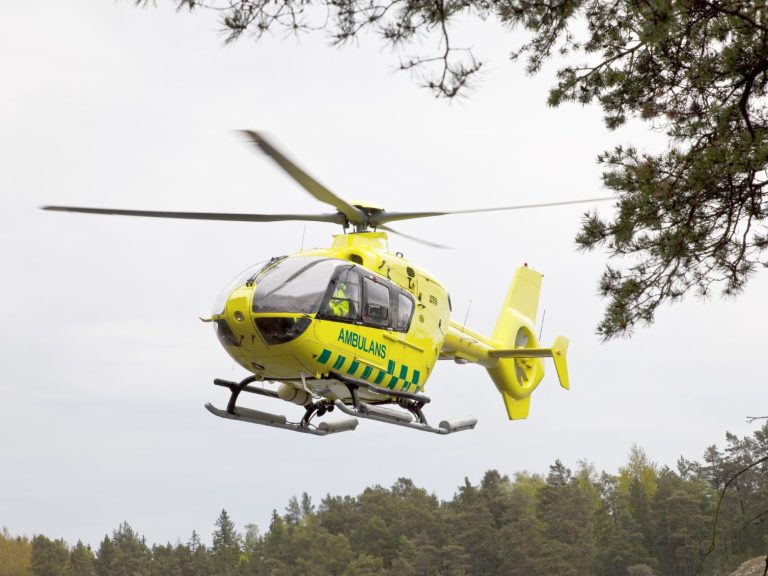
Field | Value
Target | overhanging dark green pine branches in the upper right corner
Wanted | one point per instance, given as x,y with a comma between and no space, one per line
690,217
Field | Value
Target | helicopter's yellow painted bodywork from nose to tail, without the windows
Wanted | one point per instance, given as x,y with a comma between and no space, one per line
388,358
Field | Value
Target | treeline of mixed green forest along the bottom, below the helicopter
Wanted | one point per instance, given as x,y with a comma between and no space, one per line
646,520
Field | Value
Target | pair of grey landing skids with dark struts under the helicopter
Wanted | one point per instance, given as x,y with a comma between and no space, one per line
412,417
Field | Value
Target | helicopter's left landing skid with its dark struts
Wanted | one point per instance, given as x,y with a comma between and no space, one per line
319,408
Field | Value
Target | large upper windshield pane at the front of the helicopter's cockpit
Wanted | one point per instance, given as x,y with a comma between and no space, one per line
294,284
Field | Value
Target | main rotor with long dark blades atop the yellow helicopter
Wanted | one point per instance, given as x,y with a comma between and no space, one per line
362,216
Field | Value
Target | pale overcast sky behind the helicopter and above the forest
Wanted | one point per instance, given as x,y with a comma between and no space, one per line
106,366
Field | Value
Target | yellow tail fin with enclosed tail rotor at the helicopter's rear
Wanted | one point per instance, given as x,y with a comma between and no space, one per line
520,368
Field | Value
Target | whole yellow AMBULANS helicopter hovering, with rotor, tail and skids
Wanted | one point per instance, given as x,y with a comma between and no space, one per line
357,328
